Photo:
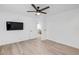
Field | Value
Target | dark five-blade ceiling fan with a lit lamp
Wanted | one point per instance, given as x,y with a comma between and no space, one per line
38,11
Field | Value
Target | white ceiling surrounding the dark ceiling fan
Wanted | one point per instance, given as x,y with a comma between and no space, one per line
22,8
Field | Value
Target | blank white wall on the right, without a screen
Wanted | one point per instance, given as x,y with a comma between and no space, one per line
64,28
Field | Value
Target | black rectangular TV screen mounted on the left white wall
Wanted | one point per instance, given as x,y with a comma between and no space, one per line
14,25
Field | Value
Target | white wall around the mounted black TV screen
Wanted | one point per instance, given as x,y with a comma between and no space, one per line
7,37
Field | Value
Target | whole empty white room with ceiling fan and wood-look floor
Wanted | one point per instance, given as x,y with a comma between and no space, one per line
39,29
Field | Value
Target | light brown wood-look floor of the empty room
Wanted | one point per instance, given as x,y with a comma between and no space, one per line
37,47
